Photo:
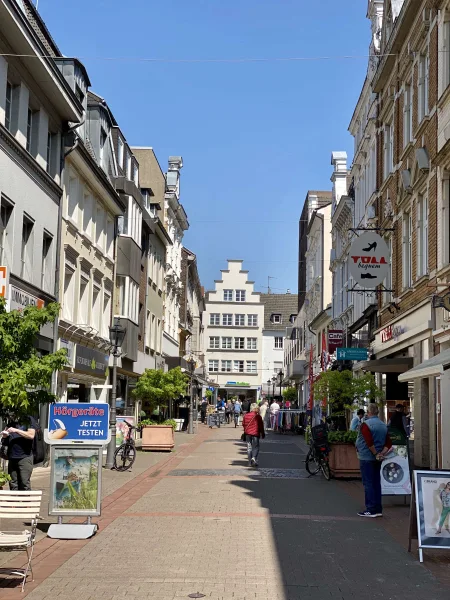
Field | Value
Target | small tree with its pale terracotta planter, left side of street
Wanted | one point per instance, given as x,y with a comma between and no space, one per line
155,388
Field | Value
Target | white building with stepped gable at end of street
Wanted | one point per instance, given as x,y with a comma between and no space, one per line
233,320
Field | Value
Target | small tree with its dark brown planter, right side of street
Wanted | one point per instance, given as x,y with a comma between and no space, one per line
343,394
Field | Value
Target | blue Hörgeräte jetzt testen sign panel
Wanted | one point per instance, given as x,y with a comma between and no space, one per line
78,422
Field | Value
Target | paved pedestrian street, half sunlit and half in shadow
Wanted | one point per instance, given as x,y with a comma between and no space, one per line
201,521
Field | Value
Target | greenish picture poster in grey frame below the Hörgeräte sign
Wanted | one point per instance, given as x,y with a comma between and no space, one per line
75,480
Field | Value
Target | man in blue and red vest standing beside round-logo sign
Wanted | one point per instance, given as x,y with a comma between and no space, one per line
372,444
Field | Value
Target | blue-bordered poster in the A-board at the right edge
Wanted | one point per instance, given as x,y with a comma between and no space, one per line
432,490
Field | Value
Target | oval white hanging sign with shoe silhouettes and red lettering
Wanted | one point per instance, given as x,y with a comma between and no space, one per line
369,260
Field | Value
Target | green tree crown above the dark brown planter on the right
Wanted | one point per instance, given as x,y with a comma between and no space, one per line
342,390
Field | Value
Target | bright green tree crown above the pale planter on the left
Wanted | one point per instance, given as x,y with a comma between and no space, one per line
156,387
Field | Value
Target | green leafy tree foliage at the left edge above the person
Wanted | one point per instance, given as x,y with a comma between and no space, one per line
25,375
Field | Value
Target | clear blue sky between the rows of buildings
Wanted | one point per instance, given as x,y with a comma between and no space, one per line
254,137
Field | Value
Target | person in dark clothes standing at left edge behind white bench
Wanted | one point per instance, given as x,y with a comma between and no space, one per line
19,438
